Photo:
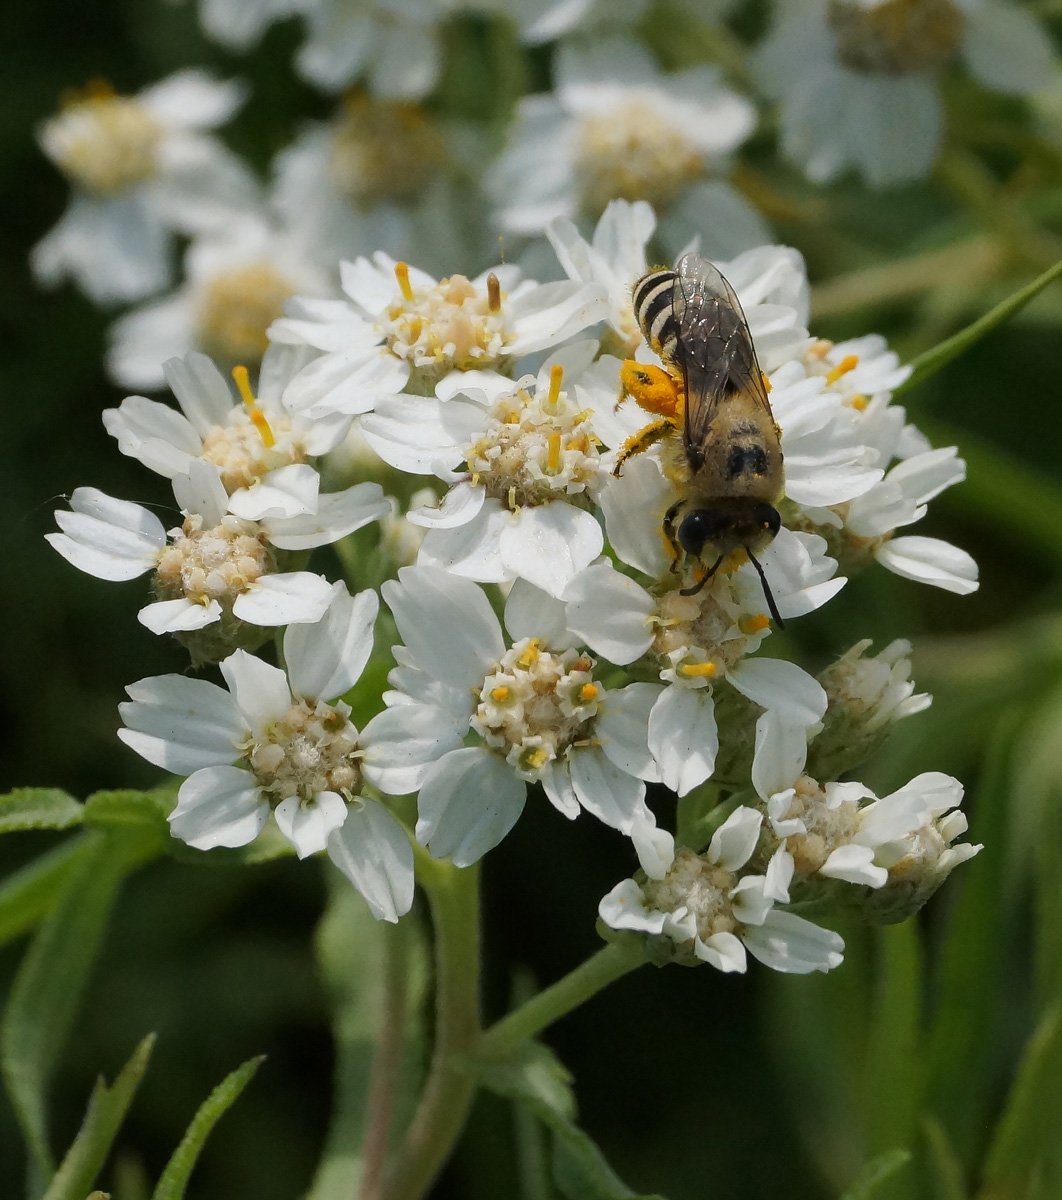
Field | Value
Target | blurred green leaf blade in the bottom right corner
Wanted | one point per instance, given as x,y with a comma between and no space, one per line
1028,1131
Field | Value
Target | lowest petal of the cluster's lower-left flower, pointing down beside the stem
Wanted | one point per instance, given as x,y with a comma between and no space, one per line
371,849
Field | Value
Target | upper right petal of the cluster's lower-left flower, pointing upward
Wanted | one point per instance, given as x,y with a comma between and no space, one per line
327,658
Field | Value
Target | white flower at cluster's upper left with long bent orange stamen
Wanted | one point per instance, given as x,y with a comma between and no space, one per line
247,439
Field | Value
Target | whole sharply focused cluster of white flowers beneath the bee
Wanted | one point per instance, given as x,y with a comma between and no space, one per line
551,641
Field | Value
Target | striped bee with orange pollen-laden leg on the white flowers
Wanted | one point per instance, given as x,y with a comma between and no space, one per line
729,463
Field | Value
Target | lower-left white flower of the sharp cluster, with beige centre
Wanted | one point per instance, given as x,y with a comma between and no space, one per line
280,745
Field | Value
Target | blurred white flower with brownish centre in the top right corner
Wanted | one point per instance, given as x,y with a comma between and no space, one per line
856,79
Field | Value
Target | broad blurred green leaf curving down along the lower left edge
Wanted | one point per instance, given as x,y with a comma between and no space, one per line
49,991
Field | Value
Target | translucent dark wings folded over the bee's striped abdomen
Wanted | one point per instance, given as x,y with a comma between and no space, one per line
716,351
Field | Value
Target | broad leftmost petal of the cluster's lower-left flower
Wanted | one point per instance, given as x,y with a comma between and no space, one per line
183,724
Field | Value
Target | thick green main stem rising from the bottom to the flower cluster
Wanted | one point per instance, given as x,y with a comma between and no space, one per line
448,1094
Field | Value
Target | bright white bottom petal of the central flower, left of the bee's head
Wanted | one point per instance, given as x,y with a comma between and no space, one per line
550,544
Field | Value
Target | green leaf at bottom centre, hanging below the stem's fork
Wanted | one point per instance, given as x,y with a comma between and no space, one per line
536,1079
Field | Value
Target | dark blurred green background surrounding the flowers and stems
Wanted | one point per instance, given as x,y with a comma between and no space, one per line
694,1084
